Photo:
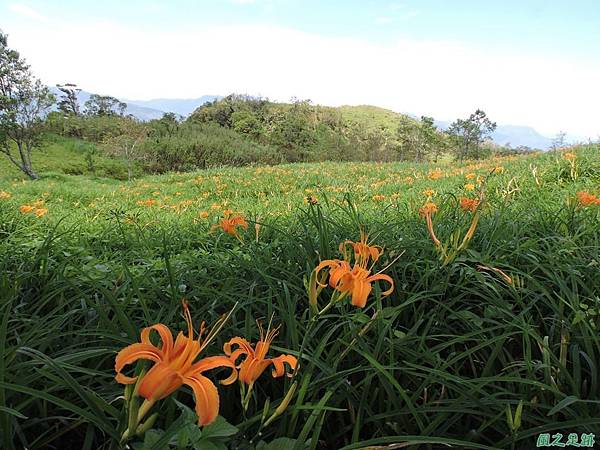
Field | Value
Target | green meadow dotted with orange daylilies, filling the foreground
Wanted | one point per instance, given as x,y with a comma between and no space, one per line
305,306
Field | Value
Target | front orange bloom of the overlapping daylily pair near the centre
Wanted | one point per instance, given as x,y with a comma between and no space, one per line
355,281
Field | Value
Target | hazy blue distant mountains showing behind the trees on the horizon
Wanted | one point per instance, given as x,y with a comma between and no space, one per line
515,135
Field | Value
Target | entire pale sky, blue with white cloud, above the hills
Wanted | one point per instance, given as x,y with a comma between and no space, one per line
523,62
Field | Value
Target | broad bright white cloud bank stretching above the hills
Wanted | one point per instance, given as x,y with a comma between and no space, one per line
443,79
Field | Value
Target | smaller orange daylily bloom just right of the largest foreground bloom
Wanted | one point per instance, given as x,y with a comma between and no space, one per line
255,361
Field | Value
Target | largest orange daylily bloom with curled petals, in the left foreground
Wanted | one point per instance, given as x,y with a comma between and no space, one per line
175,366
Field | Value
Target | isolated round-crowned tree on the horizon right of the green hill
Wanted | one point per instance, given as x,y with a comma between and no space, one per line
469,134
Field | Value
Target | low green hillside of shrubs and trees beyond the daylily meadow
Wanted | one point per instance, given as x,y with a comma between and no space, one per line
239,131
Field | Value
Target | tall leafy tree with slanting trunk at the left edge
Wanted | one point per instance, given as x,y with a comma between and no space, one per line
24,102
